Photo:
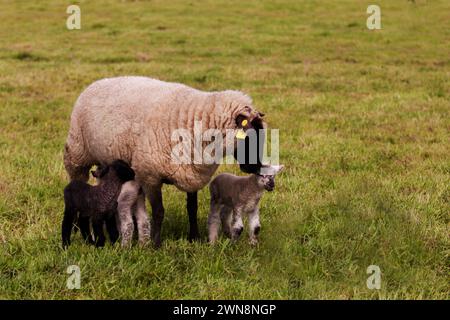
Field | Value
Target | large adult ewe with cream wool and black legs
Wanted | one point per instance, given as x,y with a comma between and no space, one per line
132,119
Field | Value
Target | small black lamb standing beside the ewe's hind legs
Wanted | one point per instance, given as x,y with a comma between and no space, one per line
95,203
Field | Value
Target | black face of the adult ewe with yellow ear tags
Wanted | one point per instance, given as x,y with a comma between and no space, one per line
249,150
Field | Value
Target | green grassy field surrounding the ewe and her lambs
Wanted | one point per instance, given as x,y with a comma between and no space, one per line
364,134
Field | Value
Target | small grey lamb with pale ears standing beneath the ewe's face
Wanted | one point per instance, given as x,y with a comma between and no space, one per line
232,196
